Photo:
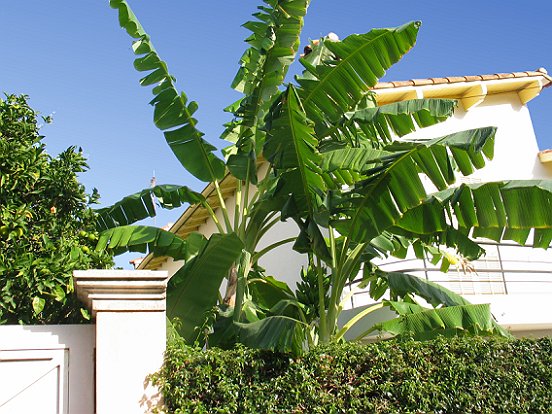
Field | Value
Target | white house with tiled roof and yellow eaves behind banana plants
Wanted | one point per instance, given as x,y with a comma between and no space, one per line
516,280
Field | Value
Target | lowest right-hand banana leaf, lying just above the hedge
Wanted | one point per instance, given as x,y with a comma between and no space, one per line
420,323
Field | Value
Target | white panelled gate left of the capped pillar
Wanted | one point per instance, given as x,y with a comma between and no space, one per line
47,369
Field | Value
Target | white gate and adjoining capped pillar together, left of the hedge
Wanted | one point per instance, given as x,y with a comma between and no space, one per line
84,369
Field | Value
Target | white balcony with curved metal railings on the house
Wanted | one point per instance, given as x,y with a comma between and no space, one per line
515,280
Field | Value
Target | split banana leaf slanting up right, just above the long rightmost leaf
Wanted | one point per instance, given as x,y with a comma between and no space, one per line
394,186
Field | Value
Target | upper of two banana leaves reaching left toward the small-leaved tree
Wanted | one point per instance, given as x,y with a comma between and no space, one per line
141,205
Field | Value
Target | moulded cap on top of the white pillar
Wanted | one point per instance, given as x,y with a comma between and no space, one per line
122,290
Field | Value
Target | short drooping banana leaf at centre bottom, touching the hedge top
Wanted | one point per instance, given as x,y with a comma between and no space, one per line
280,333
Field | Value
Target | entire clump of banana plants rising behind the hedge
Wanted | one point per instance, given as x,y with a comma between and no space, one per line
339,166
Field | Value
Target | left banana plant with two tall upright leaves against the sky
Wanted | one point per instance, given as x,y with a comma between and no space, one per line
194,290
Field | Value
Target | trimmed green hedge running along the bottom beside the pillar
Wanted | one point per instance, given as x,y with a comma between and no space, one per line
463,375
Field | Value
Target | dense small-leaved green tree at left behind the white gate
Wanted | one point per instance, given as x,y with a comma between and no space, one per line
47,229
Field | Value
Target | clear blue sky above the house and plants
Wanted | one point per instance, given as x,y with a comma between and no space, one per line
72,59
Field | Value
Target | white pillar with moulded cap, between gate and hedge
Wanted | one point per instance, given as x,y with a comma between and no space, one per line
129,308
